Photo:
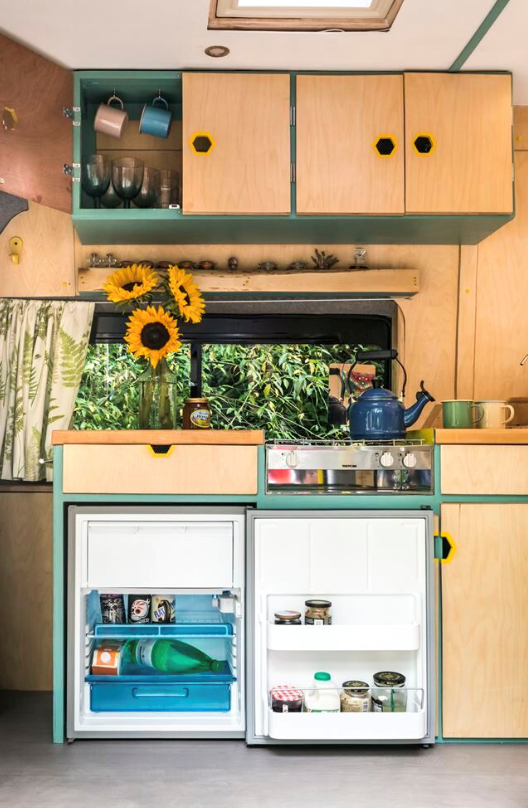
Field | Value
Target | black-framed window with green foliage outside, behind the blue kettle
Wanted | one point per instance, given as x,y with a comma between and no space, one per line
258,372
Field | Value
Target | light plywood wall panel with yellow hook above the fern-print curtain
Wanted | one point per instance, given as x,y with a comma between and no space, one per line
47,265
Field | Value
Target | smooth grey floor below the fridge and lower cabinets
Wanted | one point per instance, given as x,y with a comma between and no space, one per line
226,774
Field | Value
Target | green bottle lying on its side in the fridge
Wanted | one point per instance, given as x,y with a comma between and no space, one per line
170,656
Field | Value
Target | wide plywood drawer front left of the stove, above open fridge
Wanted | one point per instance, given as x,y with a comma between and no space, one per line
135,469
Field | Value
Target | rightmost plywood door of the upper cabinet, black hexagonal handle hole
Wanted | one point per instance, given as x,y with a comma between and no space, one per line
458,143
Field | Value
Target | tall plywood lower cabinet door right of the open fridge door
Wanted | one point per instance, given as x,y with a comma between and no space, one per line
485,622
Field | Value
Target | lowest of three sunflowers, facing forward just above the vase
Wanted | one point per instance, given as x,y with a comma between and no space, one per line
152,334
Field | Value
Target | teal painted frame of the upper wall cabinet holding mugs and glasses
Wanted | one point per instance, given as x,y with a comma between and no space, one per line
156,226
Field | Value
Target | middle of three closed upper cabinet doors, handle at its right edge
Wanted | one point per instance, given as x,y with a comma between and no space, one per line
339,121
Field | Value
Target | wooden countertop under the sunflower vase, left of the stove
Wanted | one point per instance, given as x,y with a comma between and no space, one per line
160,437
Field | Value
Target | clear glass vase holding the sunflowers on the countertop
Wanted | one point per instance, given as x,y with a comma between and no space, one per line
157,397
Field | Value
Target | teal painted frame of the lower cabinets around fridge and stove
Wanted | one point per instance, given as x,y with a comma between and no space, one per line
261,501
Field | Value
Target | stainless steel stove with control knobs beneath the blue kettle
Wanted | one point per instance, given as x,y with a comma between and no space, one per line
344,466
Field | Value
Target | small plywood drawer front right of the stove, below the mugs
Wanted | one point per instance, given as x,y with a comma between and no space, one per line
485,470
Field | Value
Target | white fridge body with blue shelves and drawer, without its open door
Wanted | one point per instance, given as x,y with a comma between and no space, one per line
199,558
